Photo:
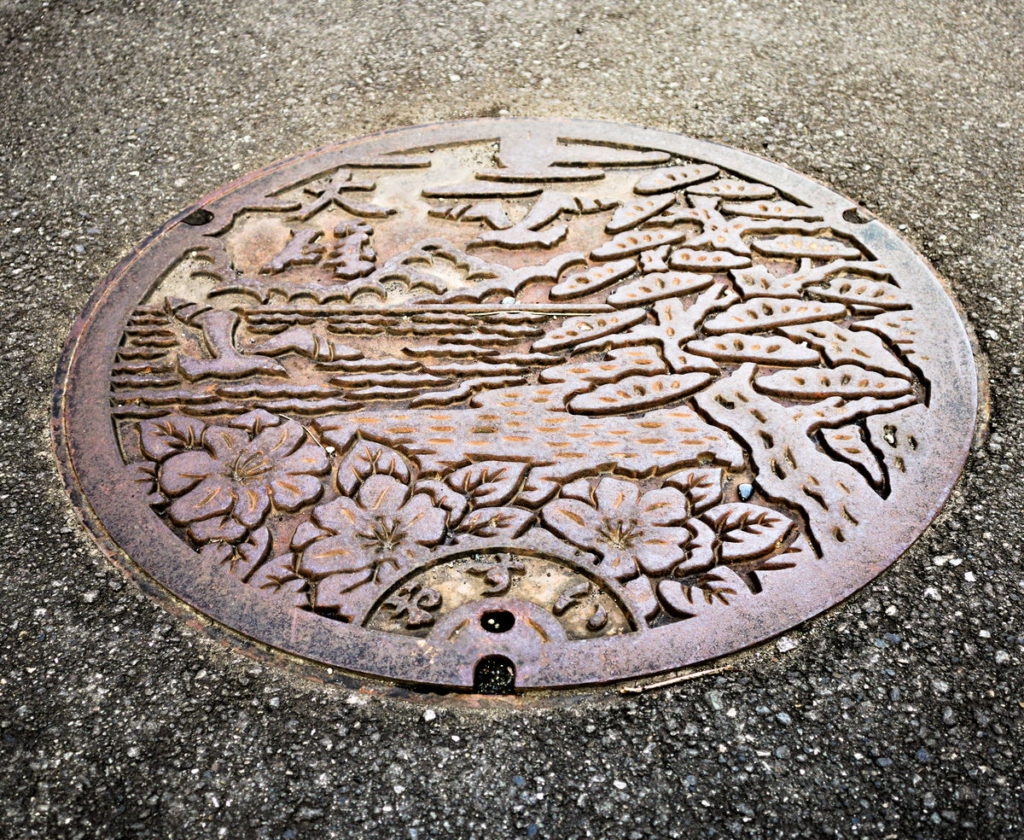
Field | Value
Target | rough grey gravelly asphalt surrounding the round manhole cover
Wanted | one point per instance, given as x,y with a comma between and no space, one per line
899,715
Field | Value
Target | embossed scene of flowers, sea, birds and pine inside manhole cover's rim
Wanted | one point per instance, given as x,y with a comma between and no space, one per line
614,396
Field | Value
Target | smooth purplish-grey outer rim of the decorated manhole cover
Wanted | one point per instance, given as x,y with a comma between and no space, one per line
600,660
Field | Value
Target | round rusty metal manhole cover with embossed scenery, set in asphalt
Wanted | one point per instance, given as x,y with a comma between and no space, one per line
516,404
